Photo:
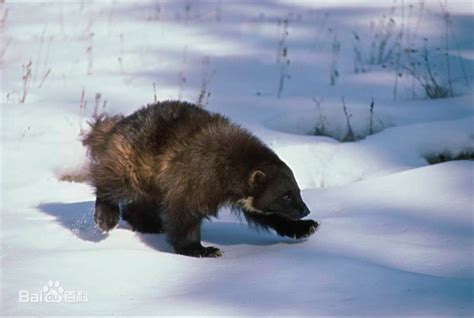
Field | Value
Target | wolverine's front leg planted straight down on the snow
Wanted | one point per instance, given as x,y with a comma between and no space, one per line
184,234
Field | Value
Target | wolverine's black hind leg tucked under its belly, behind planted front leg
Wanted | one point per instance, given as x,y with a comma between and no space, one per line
143,216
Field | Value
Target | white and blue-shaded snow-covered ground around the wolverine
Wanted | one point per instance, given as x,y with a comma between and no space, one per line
396,235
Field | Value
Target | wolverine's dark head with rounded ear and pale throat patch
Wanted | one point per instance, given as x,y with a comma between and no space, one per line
273,190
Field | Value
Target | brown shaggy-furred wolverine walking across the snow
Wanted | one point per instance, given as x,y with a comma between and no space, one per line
171,164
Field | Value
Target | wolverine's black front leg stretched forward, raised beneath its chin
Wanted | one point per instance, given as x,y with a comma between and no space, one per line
284,227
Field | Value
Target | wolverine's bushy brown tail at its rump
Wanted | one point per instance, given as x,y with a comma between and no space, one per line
100,127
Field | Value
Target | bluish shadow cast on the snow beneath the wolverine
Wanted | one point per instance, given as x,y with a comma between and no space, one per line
79,219
